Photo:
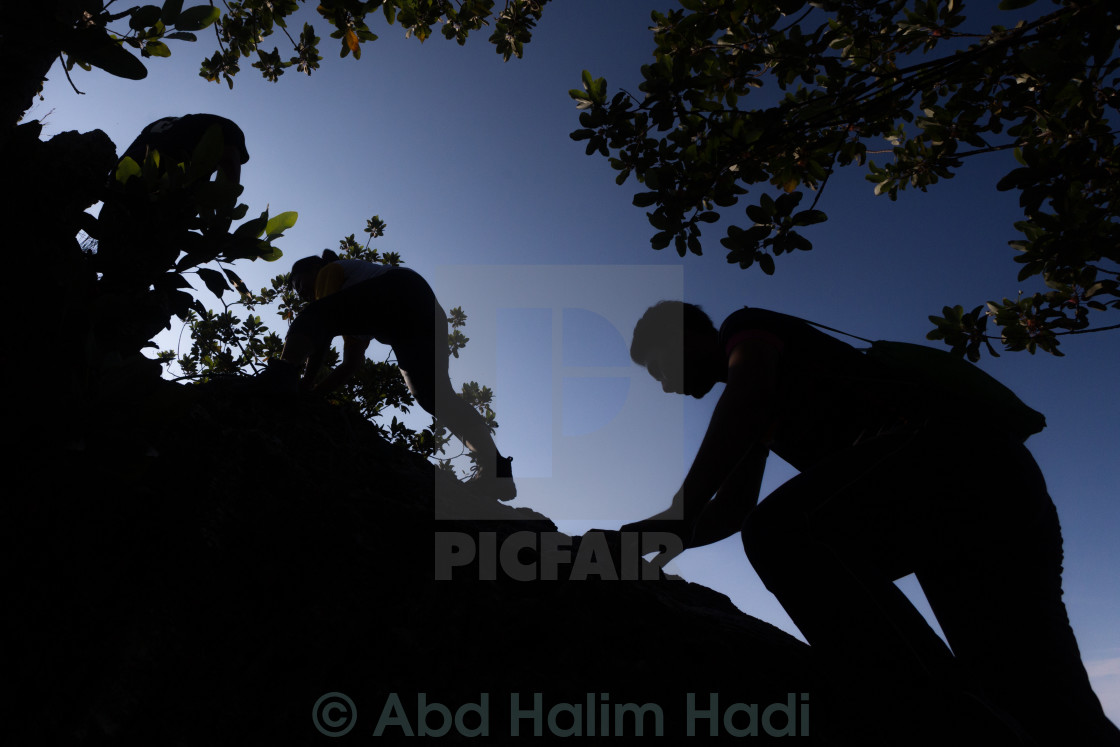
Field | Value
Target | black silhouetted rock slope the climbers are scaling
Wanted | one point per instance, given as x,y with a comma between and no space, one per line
225,559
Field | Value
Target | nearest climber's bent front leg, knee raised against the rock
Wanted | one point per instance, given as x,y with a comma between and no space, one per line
830,544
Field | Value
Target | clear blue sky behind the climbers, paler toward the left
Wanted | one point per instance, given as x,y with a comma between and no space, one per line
469,161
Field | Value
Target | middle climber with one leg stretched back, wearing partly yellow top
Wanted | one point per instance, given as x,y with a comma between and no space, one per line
396,306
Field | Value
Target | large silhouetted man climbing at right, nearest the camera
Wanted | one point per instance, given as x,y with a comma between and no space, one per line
894,479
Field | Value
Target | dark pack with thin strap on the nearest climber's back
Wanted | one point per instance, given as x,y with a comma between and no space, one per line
954,377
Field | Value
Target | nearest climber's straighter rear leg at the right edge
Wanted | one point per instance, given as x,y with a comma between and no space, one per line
1000,604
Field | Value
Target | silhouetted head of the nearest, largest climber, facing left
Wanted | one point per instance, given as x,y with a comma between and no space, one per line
678,344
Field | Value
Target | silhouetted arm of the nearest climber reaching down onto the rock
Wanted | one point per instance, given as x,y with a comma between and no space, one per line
739,427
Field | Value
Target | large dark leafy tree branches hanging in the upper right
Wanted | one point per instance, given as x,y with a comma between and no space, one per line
906,79
